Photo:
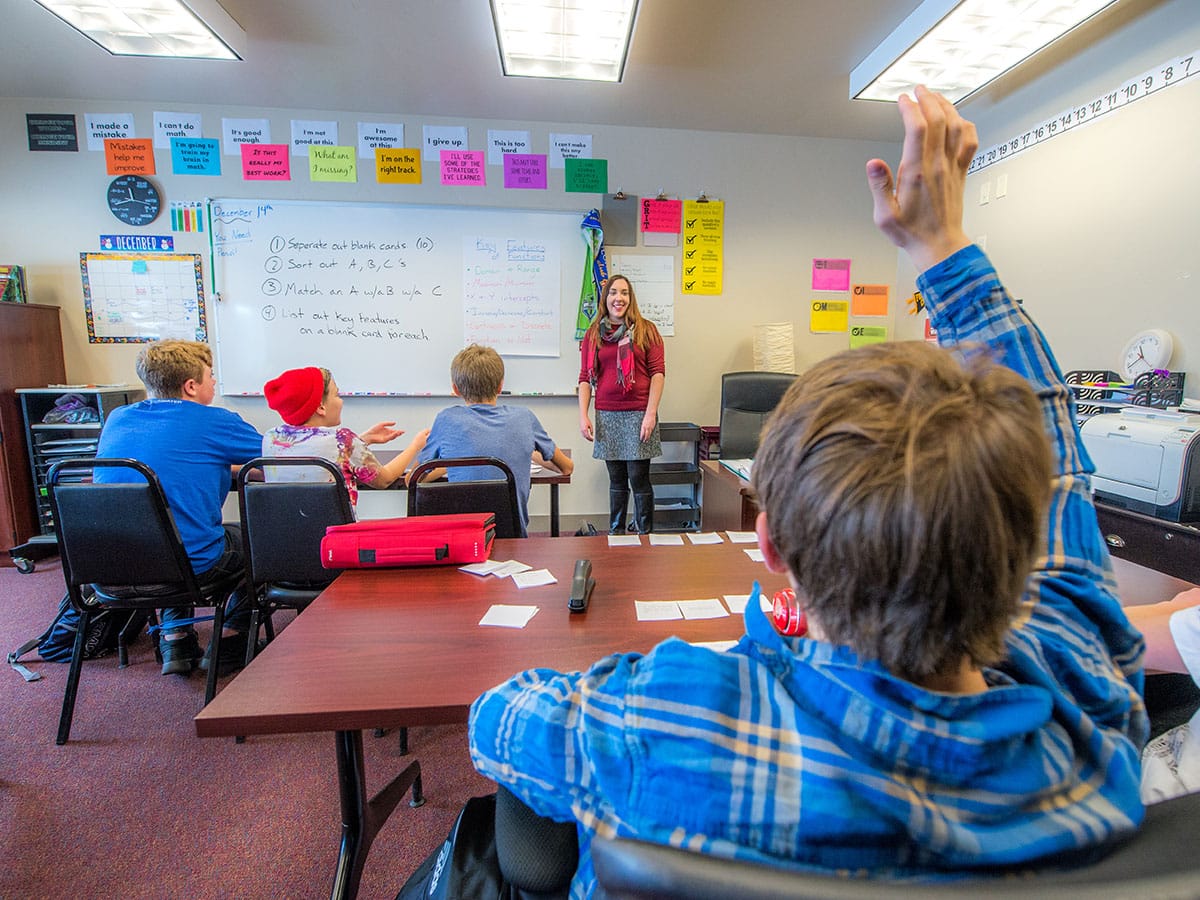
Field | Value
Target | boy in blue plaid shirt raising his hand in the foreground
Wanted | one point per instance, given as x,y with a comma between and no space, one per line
969,694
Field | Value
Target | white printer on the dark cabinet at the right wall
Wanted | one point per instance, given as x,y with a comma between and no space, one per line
1147,461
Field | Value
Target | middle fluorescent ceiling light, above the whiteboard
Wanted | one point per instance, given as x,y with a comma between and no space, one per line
587,40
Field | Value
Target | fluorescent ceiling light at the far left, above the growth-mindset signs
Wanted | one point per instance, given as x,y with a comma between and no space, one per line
197,29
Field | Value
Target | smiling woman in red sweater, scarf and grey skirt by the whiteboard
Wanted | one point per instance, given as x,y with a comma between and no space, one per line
623,367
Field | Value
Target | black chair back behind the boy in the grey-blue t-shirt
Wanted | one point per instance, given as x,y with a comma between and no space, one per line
495,496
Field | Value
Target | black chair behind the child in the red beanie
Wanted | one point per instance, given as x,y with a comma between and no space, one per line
283,524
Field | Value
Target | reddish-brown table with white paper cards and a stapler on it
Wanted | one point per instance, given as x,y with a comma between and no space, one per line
404,647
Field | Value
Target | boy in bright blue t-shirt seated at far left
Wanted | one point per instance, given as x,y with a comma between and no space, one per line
193,448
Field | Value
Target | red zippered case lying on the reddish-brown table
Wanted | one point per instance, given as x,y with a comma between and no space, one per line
417,541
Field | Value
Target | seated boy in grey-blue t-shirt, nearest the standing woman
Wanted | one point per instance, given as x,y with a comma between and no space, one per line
484,428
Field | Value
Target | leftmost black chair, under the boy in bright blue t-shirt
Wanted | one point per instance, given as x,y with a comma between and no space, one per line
123,539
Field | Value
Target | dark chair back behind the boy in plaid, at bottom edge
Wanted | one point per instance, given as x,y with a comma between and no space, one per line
1160,861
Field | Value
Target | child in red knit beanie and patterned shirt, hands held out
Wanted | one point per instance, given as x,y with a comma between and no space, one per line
308,403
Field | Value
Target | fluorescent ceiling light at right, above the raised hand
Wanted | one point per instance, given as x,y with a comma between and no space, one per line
957,49
